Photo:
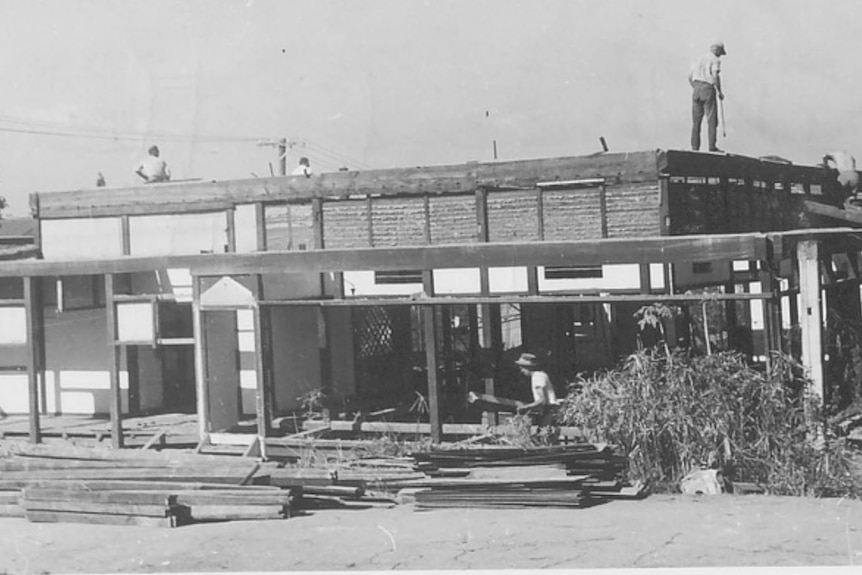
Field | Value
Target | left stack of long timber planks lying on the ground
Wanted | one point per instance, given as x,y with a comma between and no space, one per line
136,488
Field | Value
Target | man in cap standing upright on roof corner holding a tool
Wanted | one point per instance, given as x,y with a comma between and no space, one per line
705,80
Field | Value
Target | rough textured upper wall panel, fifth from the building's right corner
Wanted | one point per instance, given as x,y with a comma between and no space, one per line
398,222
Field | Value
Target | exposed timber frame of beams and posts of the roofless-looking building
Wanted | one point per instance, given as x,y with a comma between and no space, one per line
763,238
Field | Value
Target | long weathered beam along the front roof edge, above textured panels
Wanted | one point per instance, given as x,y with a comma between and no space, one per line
453,179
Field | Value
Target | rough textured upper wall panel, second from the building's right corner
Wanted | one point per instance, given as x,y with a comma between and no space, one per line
573,214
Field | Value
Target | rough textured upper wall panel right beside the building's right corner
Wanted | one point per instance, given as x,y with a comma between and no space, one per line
633,211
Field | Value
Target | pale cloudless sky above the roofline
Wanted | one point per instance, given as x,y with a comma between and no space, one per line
394,83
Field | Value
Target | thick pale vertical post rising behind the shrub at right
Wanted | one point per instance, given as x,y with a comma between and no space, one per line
810,313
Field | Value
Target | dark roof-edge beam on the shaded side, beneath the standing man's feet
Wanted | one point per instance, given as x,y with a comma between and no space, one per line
682,163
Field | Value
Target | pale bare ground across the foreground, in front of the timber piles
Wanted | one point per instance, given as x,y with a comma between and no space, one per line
660,531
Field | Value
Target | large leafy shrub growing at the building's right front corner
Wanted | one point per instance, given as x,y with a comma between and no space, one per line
671,412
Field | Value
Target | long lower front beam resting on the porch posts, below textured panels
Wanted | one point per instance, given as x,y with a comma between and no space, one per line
665,249
